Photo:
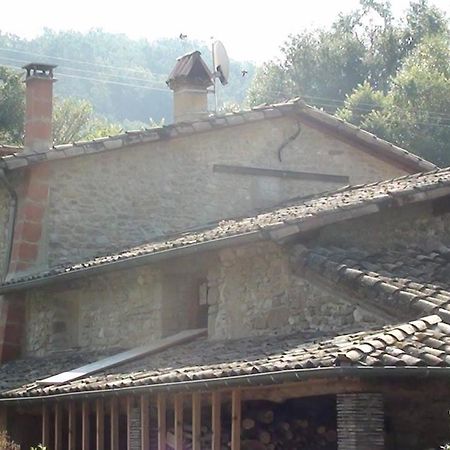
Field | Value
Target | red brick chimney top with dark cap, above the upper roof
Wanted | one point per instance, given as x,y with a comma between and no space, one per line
39,106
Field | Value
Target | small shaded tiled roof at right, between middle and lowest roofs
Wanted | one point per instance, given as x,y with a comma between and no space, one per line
406,281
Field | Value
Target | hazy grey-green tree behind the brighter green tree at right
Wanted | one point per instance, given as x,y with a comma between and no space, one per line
325,65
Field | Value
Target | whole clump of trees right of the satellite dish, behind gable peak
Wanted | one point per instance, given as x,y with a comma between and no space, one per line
388,76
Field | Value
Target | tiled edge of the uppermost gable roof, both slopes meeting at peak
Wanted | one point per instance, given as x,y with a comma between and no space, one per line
366,141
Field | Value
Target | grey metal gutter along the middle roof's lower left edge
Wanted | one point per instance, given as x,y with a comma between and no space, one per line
136,261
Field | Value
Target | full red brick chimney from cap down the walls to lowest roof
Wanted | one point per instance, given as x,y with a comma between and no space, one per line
32,196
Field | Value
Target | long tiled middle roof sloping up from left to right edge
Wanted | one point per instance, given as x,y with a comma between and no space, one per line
295,216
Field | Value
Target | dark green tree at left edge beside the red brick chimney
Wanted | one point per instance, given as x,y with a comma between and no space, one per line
11,106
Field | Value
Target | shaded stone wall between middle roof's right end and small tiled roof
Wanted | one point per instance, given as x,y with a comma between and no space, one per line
420,225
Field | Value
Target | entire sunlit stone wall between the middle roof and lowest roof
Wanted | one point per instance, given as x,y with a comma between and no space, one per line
249,290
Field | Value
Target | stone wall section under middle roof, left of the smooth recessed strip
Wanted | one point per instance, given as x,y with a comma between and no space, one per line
118,310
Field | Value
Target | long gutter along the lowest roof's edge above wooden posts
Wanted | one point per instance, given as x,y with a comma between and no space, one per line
253,380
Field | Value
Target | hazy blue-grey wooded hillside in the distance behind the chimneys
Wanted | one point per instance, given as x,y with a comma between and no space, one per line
132,73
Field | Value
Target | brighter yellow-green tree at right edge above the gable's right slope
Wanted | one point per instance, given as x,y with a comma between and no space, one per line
415,112
